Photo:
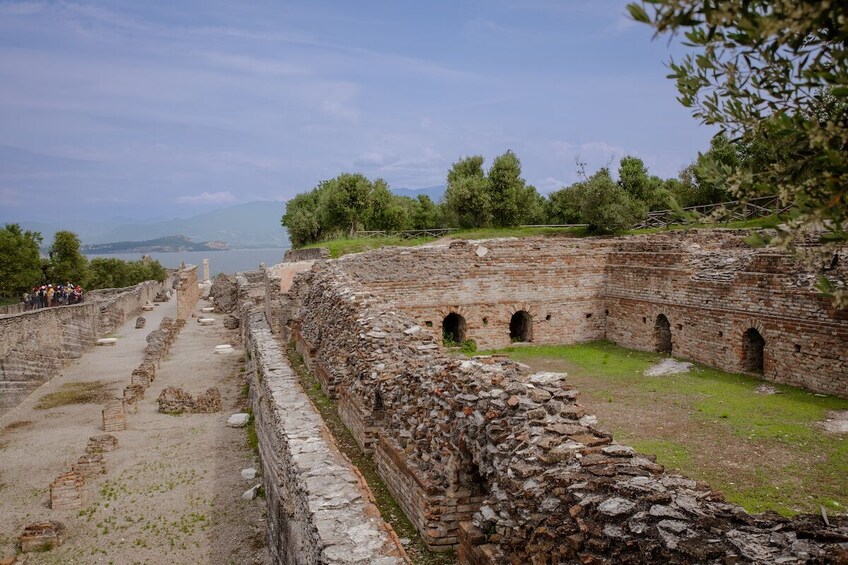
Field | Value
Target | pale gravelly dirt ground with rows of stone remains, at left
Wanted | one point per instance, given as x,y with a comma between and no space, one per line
172,491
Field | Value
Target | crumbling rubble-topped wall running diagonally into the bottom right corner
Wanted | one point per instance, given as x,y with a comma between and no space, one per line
552,486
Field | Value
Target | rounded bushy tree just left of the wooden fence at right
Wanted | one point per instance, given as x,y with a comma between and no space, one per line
608,208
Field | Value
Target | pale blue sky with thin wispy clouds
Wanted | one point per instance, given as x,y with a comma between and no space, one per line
160,109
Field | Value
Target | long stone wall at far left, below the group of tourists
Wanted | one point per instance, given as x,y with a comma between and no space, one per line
36,344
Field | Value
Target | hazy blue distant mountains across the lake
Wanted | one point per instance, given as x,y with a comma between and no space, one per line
244,226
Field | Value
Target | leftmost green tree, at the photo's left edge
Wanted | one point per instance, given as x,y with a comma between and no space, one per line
20,262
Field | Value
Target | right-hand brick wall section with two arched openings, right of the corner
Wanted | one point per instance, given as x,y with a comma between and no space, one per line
712,289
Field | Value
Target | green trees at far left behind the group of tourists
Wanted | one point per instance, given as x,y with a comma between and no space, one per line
22,266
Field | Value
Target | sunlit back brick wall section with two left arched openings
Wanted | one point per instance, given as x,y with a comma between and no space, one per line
558,282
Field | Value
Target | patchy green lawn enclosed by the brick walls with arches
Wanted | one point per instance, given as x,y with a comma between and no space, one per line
763,451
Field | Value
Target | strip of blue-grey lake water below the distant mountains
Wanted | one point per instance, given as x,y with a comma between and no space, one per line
229,261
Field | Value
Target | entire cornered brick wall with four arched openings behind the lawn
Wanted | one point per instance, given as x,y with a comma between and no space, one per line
710,286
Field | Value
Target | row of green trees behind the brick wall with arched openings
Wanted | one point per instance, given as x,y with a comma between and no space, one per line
500,197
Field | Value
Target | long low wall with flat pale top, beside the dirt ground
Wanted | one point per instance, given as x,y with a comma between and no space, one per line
319,508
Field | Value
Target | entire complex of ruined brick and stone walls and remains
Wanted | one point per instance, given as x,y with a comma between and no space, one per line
490,461
